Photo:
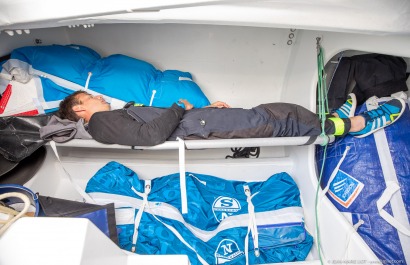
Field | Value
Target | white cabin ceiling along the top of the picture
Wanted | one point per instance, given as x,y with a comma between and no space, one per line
364,16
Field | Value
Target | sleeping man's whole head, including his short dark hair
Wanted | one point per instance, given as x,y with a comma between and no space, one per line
81,104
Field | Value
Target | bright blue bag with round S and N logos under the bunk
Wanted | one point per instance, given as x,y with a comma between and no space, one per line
227,222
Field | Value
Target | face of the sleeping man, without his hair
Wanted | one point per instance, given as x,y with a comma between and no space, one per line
90,104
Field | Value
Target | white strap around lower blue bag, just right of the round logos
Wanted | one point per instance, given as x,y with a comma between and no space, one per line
252,227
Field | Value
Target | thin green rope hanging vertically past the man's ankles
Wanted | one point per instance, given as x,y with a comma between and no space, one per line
323,110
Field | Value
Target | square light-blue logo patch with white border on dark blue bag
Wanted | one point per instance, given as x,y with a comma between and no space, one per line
344,188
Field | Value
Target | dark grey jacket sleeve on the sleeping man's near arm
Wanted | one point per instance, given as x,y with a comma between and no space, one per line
118,127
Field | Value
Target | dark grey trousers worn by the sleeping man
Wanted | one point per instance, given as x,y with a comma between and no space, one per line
265,120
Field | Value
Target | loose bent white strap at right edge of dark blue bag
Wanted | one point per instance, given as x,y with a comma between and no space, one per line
391,188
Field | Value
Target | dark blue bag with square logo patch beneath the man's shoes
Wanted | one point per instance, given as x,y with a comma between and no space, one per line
372,185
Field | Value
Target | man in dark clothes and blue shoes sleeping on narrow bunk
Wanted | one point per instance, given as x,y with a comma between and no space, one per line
147,126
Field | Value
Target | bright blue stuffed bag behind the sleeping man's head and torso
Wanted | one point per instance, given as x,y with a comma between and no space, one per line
75,67
